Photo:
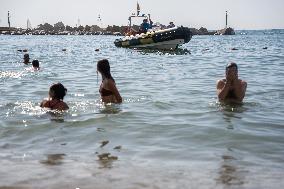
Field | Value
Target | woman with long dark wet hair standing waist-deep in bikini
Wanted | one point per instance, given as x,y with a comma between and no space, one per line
108,90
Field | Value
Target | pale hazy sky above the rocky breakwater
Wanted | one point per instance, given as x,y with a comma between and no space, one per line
242,14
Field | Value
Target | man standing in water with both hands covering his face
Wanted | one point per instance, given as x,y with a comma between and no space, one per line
231,89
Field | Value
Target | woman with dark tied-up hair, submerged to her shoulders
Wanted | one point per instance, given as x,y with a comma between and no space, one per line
55,101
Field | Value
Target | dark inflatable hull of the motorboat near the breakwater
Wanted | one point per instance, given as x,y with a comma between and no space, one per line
166,39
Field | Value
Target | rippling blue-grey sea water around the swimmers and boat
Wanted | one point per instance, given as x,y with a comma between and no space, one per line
169,132
